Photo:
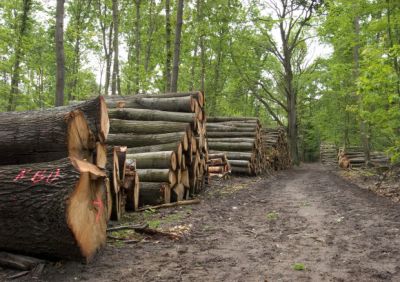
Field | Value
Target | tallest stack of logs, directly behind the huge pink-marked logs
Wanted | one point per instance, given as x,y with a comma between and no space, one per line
165,136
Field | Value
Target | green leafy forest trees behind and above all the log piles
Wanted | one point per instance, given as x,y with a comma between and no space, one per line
252,58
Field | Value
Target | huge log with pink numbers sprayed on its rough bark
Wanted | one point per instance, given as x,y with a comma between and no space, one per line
54,209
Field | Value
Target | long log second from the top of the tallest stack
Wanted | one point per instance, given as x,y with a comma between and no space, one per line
152,115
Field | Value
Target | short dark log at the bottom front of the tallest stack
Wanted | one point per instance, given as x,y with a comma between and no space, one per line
154,193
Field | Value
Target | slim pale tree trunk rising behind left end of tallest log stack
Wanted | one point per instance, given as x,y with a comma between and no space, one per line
115,84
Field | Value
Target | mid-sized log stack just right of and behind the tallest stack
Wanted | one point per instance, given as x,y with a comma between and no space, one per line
239,138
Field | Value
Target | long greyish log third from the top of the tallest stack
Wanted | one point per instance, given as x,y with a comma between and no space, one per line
146,127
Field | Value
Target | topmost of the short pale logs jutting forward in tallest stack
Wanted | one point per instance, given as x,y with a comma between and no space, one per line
162,159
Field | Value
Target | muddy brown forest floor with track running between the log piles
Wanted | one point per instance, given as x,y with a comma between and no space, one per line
304,224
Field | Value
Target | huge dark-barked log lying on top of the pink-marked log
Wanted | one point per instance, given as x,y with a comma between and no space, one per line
40,136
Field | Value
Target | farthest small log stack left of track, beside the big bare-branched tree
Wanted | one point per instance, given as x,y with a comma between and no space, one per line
276,148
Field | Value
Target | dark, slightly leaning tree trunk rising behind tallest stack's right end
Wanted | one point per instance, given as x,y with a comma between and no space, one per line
177,50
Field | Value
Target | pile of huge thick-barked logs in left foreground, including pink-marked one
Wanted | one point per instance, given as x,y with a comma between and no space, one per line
54,196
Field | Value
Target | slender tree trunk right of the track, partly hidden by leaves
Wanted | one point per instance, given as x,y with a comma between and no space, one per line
356,56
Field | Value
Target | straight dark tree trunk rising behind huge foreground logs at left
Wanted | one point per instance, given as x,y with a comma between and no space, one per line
60,76
